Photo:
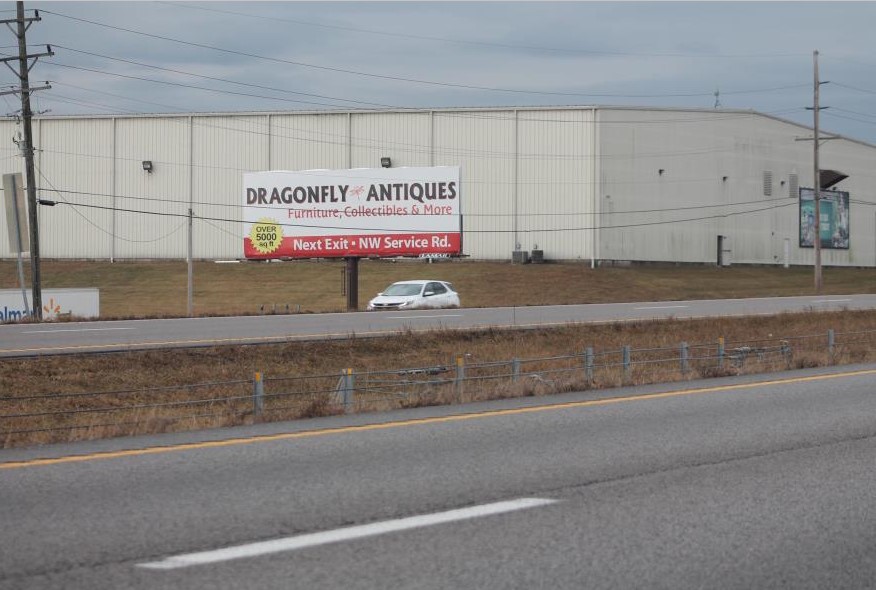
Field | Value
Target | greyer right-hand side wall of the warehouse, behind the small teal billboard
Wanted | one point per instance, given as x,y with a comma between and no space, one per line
645,211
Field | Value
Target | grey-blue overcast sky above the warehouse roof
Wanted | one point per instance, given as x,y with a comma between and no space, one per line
270,56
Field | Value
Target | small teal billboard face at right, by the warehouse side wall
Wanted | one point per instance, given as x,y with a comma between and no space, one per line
833,228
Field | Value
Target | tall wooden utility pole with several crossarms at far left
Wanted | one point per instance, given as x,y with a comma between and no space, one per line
24,66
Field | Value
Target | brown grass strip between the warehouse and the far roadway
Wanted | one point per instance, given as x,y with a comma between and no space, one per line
159,289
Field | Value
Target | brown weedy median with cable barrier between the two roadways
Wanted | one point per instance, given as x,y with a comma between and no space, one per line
68,398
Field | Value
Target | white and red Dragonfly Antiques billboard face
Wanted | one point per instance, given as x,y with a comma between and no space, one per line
362,212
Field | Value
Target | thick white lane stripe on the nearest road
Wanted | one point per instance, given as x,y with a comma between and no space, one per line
344,534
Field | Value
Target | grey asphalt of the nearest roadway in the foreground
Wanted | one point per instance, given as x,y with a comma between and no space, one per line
744,482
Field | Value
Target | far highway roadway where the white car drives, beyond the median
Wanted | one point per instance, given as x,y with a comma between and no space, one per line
17,340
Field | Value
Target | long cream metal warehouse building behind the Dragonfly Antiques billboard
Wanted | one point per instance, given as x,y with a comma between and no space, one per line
593,184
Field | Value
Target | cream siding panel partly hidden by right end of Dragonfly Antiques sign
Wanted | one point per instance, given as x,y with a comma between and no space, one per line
482,145
